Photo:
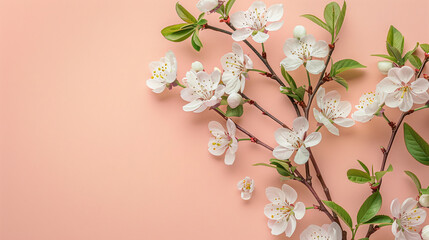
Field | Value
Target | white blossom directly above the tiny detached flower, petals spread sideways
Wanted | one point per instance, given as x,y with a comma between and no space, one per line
223,140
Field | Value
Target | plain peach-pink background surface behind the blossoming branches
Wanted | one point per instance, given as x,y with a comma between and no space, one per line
88,152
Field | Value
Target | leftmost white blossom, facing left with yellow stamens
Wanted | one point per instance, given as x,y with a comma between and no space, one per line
164,73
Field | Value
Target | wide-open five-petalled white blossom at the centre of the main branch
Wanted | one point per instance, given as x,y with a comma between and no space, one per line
291,140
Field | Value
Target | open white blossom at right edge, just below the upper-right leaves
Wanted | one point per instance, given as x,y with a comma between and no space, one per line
400,92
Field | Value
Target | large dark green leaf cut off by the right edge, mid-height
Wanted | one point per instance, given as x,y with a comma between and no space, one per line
416,145
